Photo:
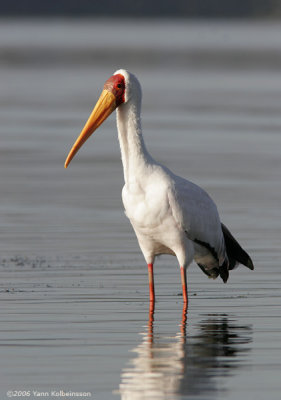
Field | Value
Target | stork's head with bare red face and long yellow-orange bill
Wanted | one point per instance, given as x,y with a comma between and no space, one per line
117,90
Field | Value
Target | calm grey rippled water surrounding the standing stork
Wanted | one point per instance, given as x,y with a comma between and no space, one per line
74,296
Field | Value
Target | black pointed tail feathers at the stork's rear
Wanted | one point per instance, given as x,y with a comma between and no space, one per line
236,255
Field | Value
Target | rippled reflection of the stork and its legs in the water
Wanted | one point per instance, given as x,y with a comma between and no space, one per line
172,367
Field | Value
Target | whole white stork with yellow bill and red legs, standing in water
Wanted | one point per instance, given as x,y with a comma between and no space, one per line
170,215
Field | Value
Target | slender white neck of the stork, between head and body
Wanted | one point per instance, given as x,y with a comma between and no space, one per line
135,157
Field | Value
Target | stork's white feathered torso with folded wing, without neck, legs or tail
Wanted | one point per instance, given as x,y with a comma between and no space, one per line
164,212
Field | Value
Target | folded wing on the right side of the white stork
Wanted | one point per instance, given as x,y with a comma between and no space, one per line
196,213
